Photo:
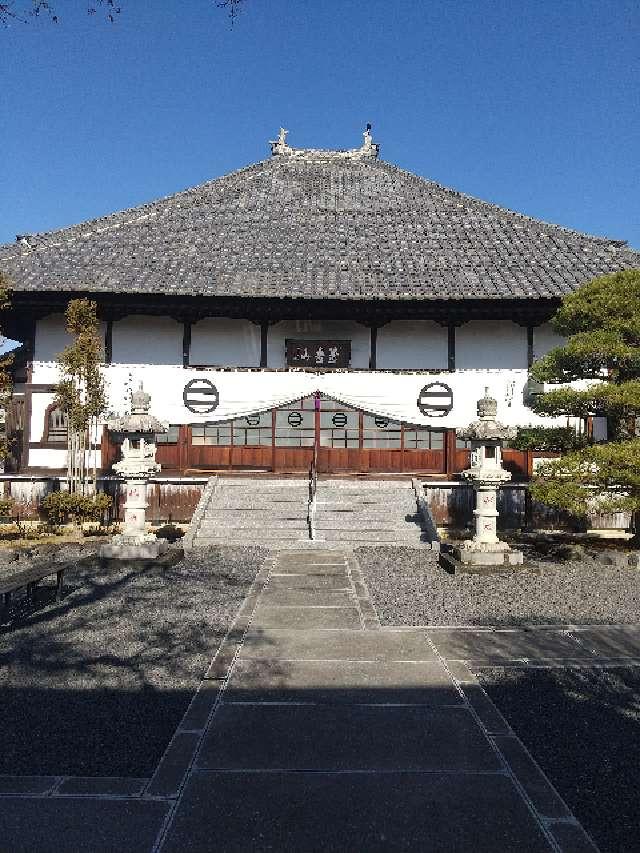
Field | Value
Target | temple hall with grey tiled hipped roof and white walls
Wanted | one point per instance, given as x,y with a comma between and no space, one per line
317,304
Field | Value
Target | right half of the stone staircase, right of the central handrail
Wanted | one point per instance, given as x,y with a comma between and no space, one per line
367,512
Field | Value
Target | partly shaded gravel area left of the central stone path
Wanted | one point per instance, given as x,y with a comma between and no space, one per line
96,685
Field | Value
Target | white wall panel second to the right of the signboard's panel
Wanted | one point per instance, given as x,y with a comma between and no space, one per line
486,344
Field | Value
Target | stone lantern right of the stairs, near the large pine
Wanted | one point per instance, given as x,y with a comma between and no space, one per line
486,473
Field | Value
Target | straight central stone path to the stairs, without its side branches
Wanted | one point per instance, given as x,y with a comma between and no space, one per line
330,734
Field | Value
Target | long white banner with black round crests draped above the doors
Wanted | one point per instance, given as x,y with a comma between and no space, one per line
180,395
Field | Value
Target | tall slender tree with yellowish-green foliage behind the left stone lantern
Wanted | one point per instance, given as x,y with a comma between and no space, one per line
80,392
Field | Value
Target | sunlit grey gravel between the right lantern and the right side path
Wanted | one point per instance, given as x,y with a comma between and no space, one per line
408,587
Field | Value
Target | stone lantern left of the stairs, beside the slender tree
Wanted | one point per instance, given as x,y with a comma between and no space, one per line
137,432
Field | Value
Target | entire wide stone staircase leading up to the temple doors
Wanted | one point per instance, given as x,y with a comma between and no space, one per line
277,514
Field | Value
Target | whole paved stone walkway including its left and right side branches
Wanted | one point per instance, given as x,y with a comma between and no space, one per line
315,729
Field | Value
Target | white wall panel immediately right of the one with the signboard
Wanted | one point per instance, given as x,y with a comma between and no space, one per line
412,345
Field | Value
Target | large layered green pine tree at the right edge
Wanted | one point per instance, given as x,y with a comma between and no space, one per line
601,321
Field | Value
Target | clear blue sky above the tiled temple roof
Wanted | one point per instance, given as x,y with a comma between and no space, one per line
532,105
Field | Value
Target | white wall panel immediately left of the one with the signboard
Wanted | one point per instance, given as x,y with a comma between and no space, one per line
225,342
